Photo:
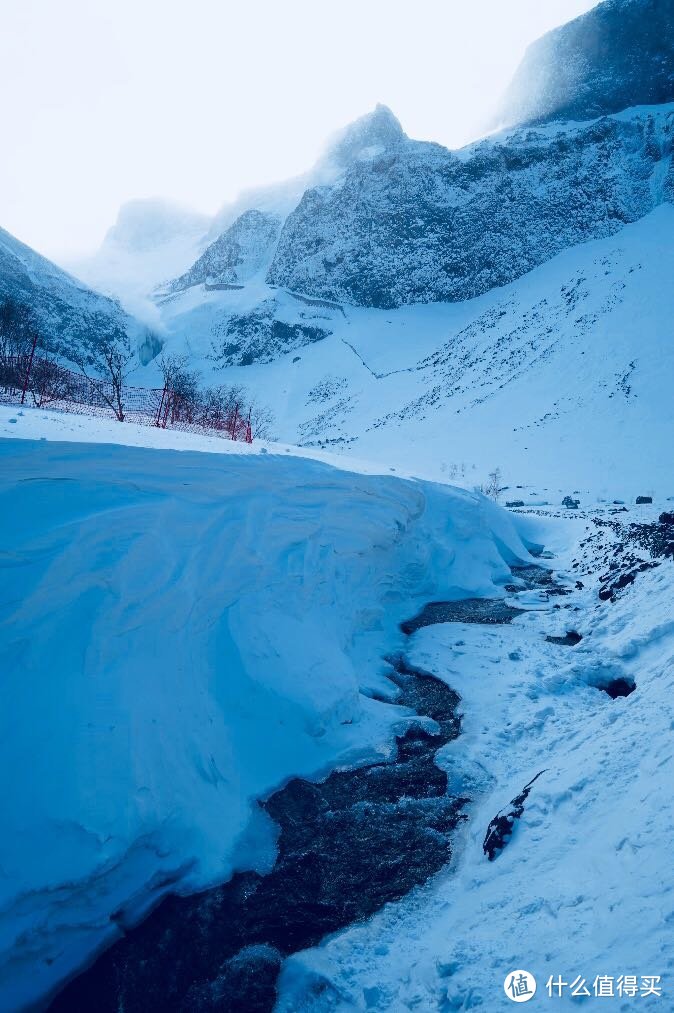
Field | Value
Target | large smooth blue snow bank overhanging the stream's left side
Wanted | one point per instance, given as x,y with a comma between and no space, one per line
181,634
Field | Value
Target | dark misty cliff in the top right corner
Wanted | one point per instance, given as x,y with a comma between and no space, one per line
619,55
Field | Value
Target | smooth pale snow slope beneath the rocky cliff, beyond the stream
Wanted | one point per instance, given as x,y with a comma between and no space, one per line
562,378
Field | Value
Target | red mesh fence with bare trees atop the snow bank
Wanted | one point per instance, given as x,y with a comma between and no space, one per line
43,383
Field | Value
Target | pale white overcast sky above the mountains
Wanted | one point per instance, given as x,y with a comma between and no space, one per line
103,101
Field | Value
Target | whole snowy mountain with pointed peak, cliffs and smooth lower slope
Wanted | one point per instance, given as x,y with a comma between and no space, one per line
400,296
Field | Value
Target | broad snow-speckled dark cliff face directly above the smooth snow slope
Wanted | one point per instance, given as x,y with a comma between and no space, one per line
422,224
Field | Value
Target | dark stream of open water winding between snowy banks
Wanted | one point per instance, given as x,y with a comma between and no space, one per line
347,846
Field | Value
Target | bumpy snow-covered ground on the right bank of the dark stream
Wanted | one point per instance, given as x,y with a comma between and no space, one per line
585,886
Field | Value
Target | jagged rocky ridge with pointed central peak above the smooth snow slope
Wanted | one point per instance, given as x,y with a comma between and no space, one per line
384,221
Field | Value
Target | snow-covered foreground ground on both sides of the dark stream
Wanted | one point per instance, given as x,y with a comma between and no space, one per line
230,632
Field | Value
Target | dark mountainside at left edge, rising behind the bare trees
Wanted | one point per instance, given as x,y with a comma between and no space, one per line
68,314
